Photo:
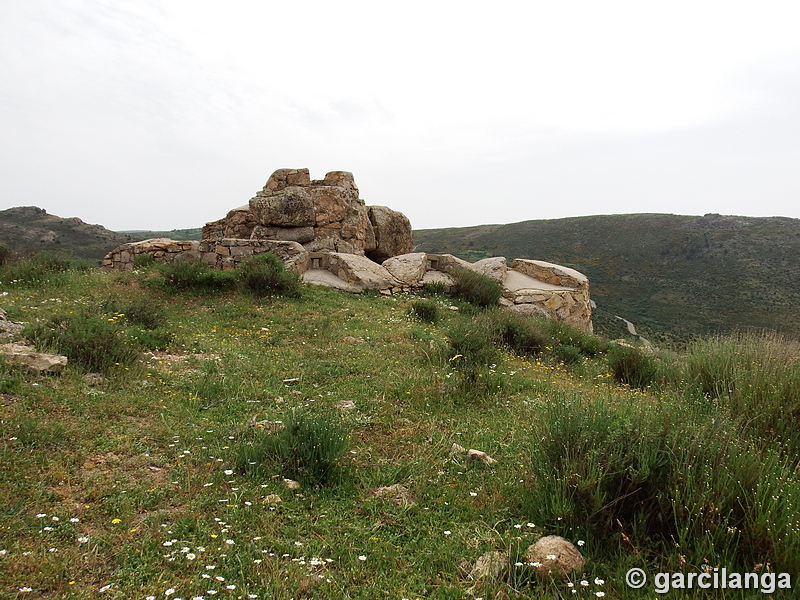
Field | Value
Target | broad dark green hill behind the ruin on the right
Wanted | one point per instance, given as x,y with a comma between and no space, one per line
673,276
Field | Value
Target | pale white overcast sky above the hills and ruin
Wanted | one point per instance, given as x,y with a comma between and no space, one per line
140,114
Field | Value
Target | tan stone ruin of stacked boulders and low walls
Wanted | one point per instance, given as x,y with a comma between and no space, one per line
321,230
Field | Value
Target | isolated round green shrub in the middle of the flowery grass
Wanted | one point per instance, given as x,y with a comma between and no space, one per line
309,447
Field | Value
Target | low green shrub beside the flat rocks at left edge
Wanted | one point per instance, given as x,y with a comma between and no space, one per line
92,342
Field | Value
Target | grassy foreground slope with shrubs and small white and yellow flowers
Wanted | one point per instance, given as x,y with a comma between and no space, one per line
155,465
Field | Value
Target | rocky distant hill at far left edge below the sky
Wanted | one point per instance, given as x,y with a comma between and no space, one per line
29,229
